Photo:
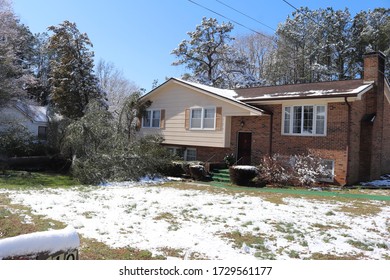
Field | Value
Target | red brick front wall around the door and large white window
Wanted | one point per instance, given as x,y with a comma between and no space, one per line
333,146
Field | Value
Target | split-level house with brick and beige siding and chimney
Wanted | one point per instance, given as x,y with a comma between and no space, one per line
347,123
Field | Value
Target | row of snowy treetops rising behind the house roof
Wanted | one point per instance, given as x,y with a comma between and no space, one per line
310,46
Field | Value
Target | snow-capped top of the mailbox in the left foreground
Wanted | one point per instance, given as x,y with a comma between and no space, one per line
39,242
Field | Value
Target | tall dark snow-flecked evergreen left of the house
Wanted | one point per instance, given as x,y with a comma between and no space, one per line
73,83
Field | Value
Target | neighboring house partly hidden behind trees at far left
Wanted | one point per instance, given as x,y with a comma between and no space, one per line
32,117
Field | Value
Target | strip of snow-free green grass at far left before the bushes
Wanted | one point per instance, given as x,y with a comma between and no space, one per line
24,180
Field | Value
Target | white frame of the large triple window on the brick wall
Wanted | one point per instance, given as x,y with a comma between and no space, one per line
291,121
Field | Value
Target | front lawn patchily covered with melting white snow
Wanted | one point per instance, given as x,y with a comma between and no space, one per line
204,224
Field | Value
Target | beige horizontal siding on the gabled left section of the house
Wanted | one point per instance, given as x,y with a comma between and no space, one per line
174,99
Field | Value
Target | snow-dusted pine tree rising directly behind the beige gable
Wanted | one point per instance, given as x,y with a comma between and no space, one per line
210,57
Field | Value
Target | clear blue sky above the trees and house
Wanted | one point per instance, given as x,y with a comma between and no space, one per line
139,35
